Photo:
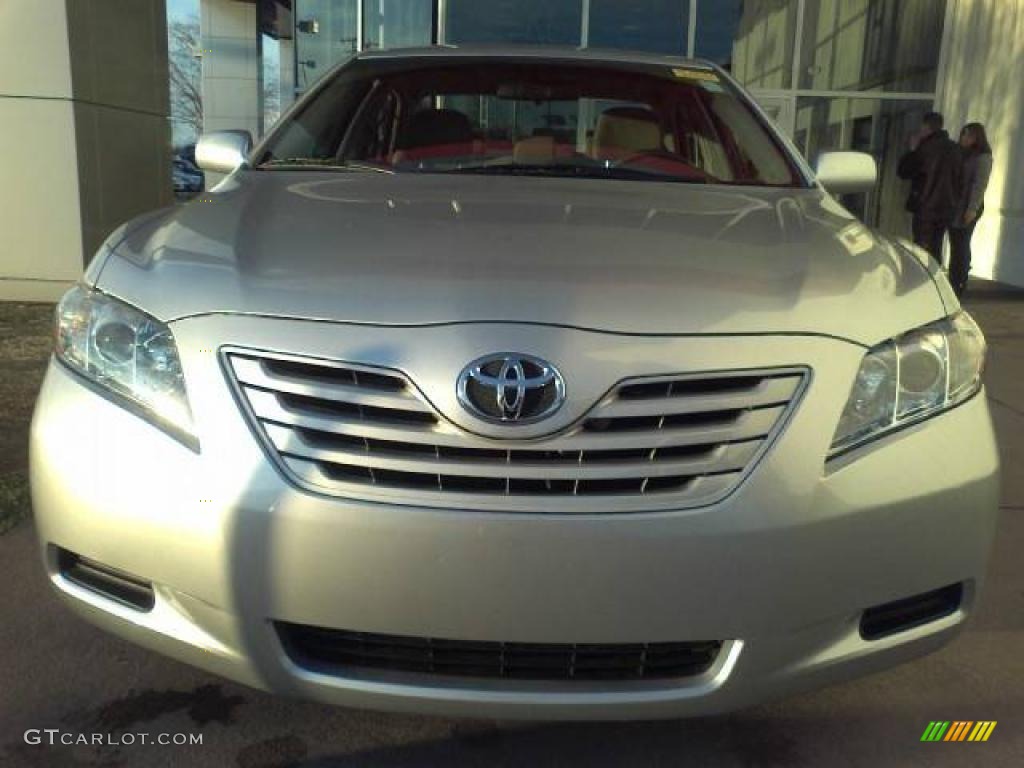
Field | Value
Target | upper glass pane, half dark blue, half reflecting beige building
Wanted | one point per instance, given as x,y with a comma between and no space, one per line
763,34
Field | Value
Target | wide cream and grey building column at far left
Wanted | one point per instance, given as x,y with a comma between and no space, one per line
84,107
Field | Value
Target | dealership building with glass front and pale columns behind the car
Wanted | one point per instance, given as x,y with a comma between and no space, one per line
102,100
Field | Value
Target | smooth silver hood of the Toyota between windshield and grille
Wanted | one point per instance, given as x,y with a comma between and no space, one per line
618,257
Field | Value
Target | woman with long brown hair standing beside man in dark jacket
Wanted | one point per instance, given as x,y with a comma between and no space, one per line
977,169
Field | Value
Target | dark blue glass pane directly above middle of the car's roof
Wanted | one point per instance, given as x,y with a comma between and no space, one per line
551,22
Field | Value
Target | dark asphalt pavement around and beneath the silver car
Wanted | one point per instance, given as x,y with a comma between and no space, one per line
59,673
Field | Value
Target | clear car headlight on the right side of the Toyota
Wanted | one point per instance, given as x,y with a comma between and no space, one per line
912,378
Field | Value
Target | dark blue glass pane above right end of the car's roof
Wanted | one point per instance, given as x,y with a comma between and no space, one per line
659,26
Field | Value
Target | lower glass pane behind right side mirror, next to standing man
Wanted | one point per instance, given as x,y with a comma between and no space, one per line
880,127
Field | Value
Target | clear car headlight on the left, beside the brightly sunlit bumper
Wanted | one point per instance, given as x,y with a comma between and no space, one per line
126,353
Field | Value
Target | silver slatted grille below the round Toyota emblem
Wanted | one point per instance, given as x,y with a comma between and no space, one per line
660,443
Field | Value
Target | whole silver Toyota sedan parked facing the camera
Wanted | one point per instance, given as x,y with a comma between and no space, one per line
519,385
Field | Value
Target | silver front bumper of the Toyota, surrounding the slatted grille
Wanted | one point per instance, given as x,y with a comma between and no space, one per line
781,571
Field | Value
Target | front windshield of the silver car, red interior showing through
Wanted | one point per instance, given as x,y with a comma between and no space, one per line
490,116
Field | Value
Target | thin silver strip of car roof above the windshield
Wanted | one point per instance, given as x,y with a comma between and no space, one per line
539,53
